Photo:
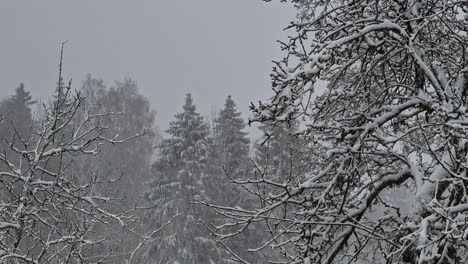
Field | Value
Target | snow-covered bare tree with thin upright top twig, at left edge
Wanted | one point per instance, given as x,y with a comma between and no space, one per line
49,213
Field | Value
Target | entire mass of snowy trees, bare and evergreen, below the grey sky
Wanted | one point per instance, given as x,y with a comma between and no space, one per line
362,155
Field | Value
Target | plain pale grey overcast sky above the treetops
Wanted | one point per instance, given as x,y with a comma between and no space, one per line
210,48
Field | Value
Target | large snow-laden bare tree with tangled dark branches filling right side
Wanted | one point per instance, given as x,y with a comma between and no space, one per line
392,119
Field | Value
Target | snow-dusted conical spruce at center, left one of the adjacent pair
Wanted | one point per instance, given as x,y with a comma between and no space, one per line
180,173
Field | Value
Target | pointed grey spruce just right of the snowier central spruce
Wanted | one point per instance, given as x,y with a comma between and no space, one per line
230,155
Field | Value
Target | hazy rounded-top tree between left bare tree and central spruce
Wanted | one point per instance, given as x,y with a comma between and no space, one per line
130,160
